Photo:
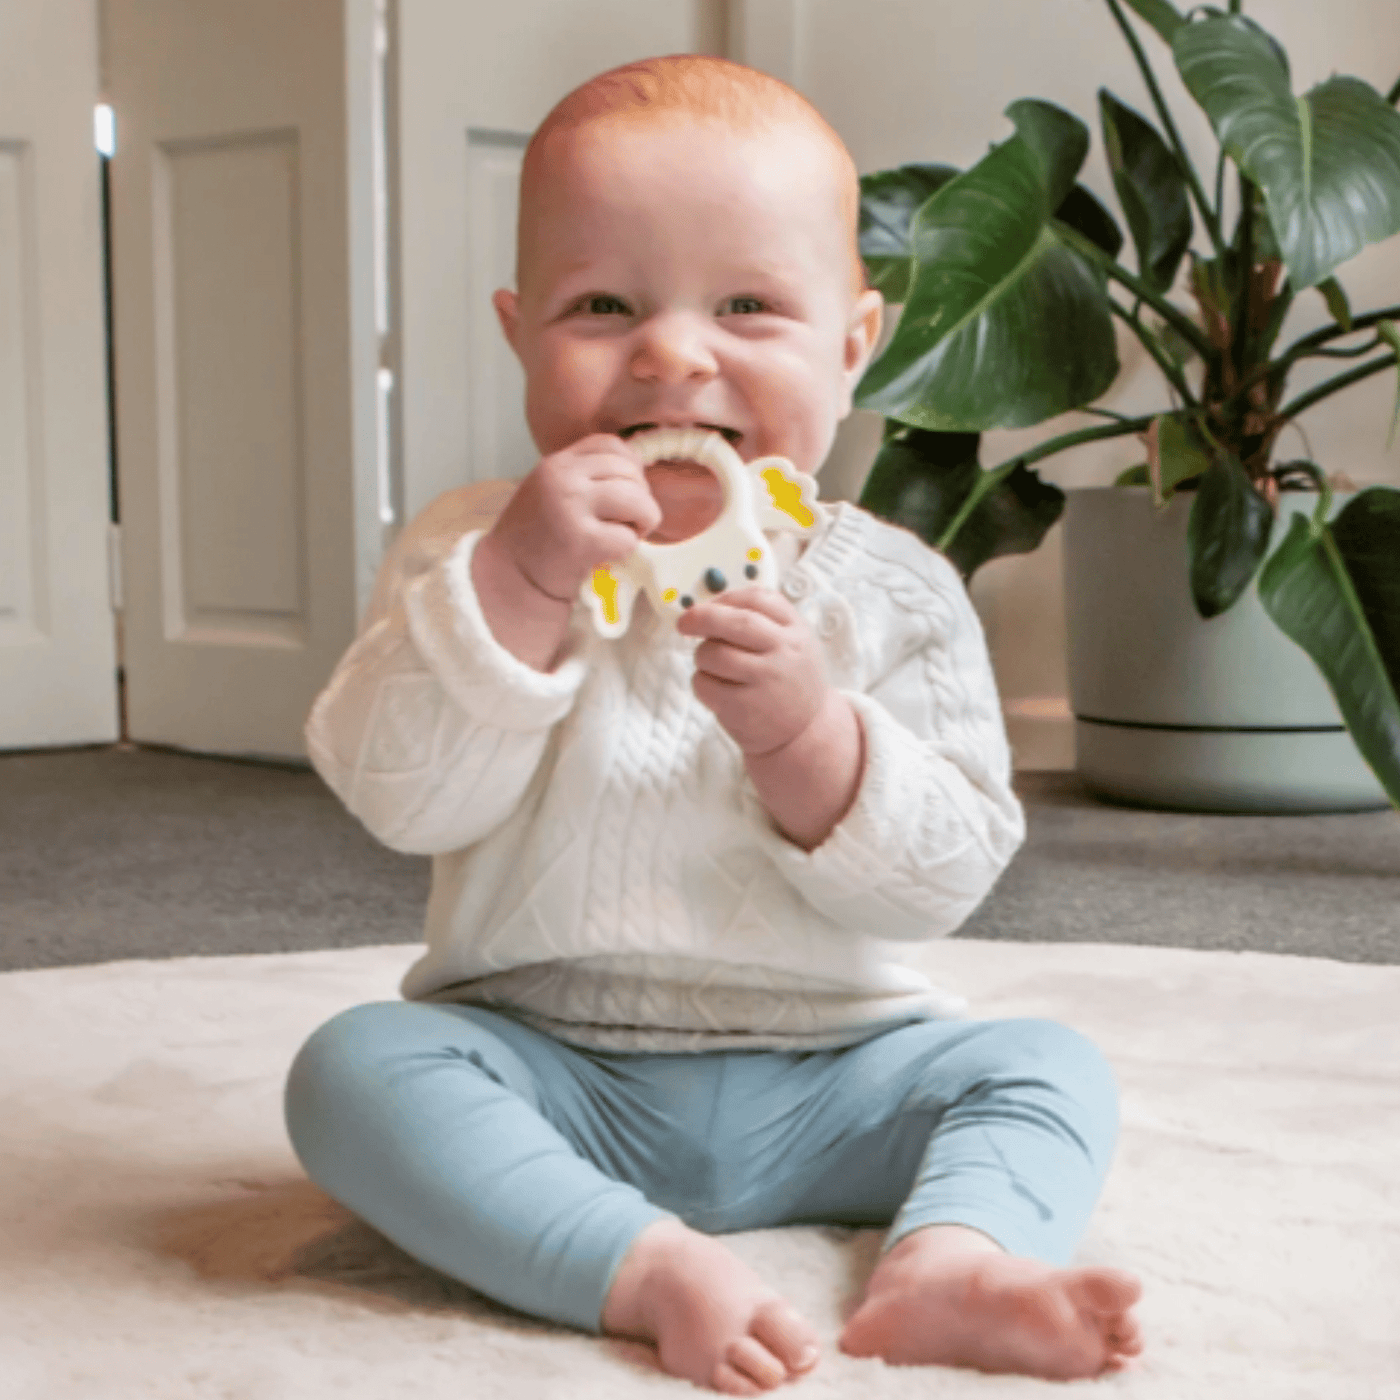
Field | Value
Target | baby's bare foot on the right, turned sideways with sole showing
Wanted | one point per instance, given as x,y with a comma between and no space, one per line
939,1298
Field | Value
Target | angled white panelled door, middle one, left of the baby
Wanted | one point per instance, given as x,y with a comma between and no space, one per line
246,358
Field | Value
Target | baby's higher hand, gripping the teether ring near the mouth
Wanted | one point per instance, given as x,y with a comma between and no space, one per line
582,507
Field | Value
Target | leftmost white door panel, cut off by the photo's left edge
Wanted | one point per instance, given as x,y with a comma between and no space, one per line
58,666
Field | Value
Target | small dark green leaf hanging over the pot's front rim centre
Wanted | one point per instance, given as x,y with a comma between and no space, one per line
1227,535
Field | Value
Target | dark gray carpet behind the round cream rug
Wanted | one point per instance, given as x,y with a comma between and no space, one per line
142,853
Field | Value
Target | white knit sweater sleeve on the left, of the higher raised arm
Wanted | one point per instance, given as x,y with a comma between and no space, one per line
429,730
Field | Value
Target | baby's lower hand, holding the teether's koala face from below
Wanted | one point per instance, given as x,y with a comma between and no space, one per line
761,668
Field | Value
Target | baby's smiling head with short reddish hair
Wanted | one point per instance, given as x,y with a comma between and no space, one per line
687,255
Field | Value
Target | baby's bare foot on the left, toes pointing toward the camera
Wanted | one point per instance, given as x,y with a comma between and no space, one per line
713,1319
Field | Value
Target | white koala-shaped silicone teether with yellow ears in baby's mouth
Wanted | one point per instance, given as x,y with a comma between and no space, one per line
765,495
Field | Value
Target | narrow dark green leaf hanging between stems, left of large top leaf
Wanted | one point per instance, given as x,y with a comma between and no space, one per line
1151,191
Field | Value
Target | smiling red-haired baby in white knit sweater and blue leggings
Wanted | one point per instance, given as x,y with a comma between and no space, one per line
682,876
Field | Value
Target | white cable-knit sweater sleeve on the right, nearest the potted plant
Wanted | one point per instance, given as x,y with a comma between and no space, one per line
934,821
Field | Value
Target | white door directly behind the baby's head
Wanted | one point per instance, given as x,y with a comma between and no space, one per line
472,83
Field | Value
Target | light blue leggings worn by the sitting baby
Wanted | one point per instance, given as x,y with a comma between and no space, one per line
526,1168
